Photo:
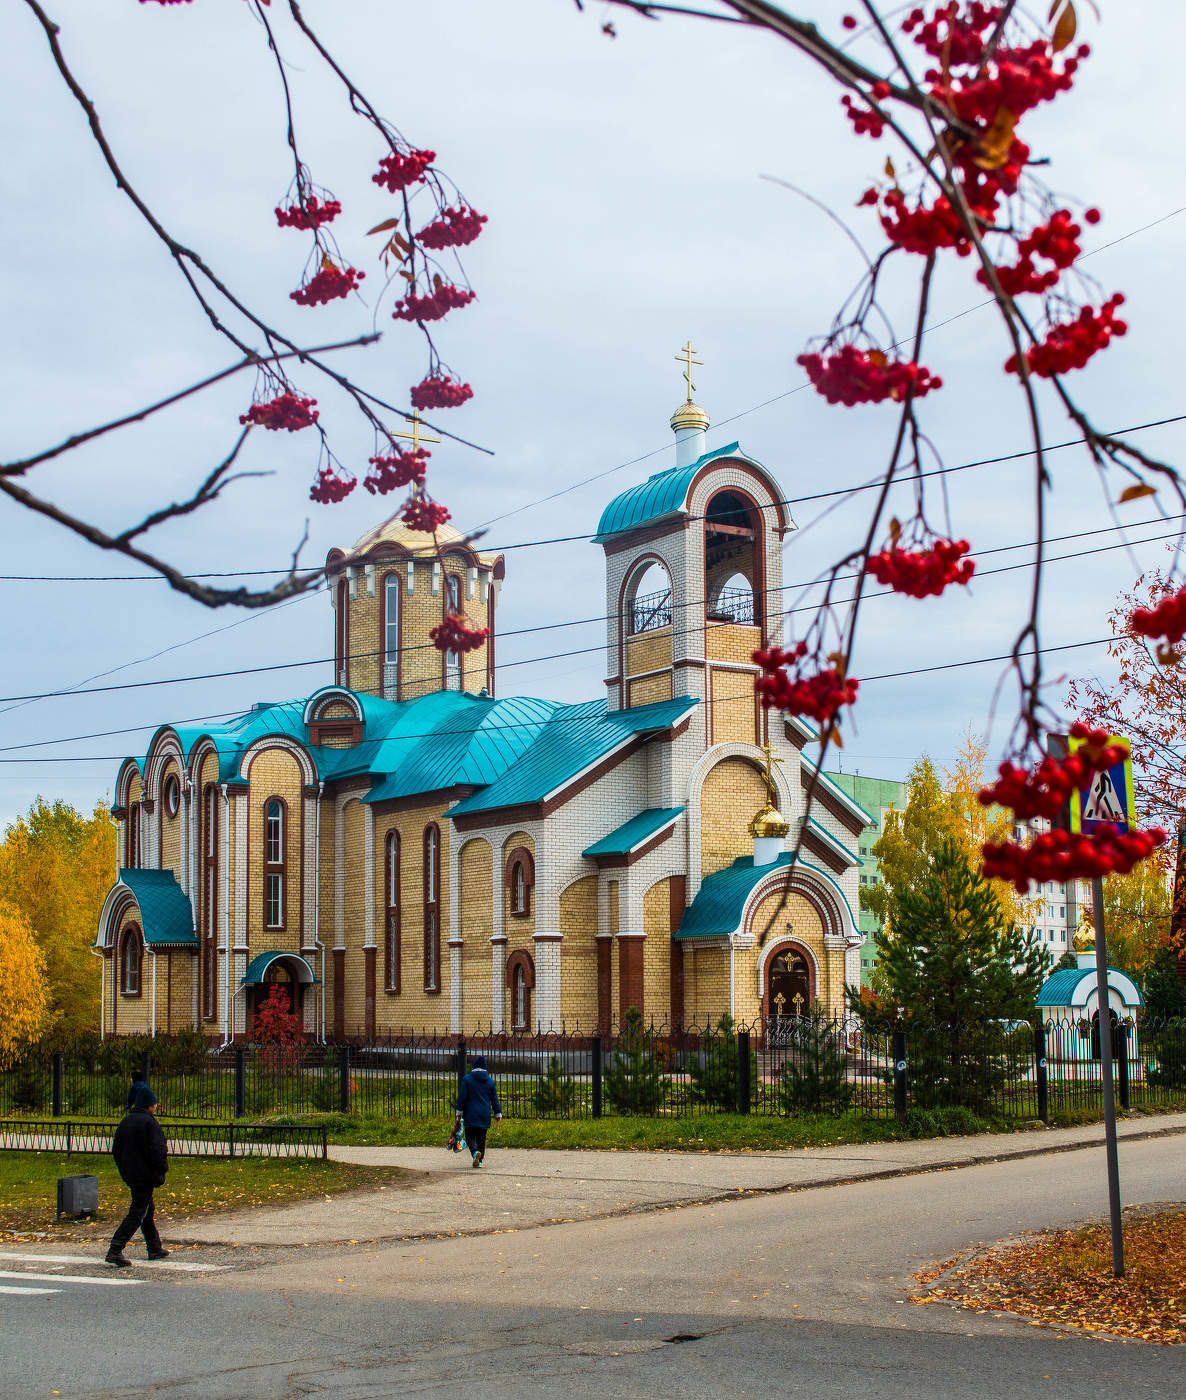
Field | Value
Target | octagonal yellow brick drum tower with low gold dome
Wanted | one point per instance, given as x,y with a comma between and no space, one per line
390,591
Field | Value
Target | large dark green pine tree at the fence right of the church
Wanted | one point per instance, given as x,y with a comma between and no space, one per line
957,974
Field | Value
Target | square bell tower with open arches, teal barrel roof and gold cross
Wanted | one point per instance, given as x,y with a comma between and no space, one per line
694,579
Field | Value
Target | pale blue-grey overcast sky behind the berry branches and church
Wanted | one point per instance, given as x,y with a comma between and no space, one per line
636,192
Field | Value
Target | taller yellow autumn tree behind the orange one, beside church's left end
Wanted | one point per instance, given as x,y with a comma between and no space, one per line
57,869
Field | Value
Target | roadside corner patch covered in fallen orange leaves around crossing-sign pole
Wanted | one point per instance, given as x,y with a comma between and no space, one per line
1065,1279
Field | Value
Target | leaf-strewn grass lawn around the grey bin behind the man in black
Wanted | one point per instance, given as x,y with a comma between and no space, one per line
195,1186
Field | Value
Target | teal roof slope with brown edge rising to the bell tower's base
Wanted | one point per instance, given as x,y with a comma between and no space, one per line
573,740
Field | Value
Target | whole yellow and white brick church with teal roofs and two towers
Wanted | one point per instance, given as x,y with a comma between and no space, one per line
405,852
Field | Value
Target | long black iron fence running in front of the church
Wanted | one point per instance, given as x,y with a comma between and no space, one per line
785,1066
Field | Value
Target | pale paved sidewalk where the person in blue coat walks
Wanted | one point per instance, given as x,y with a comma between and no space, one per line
522,1188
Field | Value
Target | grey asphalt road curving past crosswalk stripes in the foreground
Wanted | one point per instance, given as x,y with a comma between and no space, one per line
790,1294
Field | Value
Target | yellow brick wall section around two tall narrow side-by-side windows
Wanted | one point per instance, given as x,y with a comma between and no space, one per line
414,1009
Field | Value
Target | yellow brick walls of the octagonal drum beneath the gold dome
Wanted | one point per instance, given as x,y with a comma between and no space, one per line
421,664
